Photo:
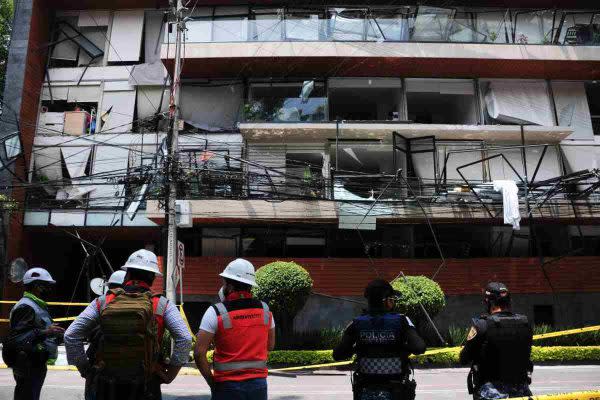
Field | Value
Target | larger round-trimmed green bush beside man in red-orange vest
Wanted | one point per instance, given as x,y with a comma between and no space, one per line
285,287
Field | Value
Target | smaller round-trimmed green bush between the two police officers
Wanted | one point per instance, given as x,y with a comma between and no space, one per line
418,290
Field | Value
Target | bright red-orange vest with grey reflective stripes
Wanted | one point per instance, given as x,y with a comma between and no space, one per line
241,340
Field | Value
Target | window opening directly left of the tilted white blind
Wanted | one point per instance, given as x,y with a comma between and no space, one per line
441,101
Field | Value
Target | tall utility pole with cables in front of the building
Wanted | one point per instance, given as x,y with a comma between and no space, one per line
173,158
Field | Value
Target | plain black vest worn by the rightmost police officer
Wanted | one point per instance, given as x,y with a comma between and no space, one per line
506,349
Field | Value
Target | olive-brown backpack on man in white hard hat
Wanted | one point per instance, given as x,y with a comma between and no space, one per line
129,345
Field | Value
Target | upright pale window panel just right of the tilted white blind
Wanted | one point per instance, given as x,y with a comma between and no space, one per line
572,108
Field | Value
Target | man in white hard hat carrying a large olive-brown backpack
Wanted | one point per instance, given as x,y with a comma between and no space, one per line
132,321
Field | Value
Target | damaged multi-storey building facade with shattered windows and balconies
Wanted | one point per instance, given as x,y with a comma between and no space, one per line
356,139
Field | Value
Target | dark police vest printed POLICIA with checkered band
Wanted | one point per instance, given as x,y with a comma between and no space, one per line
379,345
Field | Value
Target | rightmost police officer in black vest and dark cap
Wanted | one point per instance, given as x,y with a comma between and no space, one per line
499,349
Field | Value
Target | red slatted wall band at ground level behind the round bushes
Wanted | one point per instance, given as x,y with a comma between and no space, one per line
349,276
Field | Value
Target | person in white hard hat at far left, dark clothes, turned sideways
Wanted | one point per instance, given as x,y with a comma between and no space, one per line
33,339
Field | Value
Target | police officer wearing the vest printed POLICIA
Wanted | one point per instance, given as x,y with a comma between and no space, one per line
382,341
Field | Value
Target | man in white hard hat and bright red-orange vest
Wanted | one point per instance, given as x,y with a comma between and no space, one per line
243,331
